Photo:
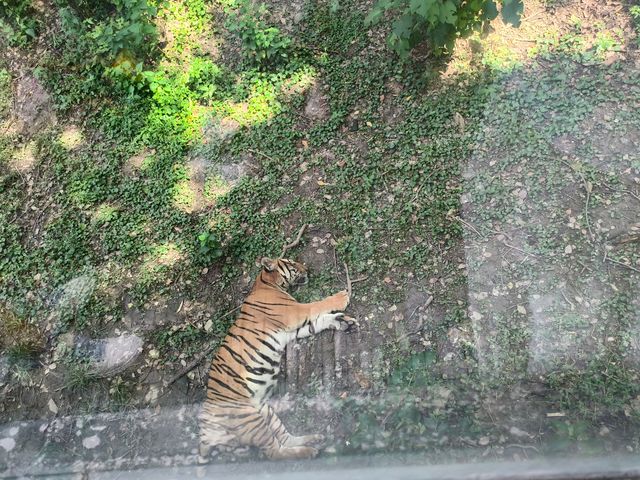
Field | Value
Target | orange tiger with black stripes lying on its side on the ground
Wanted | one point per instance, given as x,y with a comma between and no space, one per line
243,373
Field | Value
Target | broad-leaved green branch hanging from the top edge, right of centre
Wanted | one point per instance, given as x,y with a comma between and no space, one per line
439,22
